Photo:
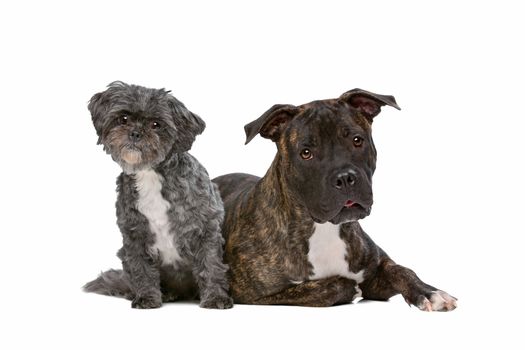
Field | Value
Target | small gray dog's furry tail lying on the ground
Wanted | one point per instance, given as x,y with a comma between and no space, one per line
111,282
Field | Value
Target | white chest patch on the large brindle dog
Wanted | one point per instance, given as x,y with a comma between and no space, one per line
328,253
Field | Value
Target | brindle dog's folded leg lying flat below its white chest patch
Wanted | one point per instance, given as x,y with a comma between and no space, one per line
319,293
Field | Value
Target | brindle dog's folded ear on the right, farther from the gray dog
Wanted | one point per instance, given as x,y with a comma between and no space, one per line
368,103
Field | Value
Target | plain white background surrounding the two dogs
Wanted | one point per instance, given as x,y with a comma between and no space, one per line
448,186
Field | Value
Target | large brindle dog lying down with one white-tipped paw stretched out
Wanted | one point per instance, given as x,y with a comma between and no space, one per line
293,236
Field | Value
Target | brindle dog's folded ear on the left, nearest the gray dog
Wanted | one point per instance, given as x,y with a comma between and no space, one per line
271,123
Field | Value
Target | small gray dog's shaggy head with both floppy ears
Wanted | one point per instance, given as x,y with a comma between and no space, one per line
140,127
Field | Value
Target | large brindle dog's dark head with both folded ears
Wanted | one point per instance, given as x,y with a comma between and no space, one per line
326,152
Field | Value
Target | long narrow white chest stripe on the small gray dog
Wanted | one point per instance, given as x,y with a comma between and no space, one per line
155,208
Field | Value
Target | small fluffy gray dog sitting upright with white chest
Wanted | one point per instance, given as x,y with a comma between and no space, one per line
168,210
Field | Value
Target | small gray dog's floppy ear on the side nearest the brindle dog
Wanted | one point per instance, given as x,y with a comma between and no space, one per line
188,124
